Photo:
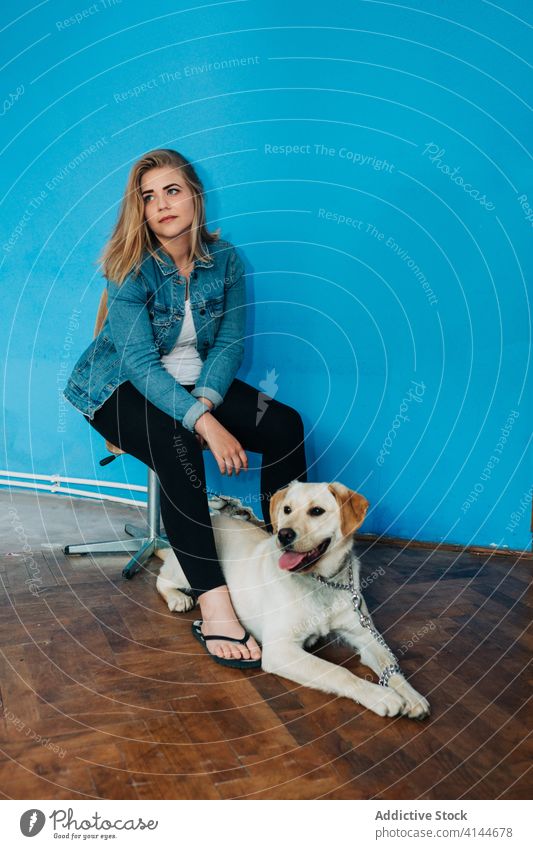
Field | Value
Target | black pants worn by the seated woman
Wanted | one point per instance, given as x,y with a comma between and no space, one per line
260,423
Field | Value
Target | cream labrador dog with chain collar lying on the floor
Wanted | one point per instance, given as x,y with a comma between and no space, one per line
298,584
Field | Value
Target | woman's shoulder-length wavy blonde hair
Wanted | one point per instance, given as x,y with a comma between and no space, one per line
123,252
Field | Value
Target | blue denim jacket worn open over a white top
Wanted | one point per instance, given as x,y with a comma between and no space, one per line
143,323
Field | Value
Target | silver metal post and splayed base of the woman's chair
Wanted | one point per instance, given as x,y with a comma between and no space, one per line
142,542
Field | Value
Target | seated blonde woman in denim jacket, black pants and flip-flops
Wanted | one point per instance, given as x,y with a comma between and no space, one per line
159,379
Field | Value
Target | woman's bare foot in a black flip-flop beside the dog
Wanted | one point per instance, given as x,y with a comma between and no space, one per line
219,617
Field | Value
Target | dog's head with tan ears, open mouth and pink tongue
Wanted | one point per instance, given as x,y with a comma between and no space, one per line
314,524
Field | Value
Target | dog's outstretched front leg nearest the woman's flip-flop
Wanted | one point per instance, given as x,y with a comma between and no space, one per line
291,661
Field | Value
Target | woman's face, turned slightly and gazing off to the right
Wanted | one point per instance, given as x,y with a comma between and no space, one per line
168,202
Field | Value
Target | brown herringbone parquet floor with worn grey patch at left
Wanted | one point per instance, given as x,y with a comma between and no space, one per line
107,695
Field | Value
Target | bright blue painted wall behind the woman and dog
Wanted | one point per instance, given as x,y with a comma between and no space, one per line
370,162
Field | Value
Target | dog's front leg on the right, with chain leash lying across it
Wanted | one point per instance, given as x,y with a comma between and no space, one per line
376,656
